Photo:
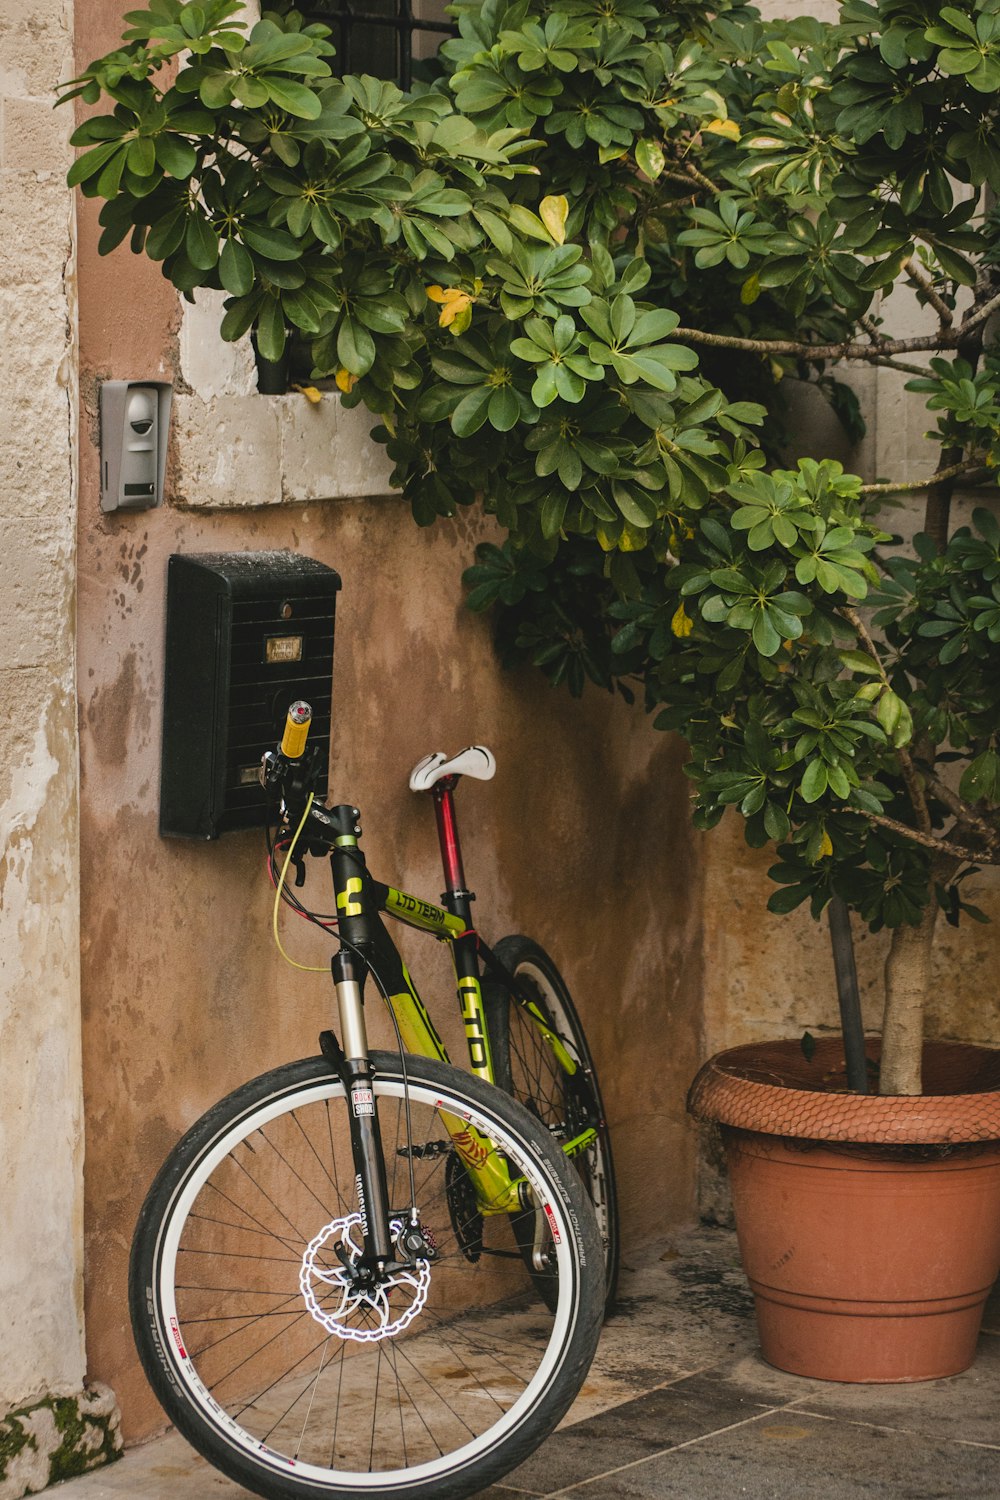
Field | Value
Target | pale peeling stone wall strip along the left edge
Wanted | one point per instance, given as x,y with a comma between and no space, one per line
41,1115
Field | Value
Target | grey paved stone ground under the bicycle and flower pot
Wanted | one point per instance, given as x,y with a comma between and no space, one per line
681,1406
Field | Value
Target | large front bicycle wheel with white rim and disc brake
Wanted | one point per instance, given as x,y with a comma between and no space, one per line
295,1411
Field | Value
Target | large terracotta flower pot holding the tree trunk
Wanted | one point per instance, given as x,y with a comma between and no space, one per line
870,1228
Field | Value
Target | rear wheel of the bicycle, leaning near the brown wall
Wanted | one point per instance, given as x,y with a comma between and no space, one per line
527,1067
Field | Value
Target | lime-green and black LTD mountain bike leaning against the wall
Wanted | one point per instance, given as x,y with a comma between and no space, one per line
371,1274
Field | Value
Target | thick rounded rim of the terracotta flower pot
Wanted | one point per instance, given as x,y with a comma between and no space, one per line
965,1108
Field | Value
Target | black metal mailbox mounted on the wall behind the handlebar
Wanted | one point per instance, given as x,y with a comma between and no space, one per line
247,635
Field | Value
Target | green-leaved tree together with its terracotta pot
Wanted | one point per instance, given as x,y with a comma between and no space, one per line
575,274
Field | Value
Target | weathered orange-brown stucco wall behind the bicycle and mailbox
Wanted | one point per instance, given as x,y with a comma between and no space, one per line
184,992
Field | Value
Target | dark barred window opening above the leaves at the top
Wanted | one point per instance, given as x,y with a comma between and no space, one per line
383,38
